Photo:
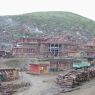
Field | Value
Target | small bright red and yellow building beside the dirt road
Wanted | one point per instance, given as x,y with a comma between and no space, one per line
39,67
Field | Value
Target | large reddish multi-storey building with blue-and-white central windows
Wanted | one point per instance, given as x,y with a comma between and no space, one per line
44,47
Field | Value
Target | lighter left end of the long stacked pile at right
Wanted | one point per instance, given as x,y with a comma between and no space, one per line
68,80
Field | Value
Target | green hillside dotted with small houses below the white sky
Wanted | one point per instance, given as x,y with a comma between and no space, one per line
47,23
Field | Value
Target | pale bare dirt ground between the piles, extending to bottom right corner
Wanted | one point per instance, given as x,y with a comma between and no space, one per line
45,85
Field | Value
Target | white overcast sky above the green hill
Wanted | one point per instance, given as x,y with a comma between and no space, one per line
83,7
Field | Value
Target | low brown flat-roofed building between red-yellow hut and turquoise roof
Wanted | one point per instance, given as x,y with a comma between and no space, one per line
60,64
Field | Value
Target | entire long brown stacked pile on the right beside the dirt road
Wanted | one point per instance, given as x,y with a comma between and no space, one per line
75,78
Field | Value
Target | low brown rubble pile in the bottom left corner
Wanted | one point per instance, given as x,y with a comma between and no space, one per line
9,89
